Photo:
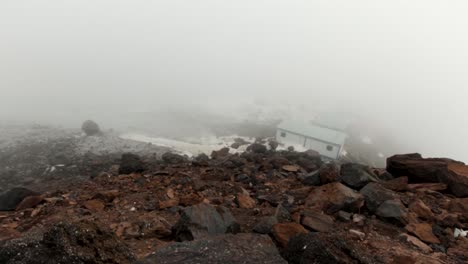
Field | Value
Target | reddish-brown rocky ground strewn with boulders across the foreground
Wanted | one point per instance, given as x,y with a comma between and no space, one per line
260,206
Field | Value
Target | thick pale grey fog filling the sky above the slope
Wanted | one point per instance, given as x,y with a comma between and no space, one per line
398,67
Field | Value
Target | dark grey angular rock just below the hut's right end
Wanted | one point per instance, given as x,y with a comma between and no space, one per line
356,175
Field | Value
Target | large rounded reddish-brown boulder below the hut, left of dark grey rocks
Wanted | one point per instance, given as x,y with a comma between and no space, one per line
334,197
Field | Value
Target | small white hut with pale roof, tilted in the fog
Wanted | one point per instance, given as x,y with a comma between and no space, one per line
327,141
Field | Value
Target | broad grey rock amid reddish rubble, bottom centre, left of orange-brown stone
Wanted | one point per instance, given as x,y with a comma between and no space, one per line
203,220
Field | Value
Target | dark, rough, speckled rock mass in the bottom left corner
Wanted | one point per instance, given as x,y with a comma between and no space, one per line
82,242
